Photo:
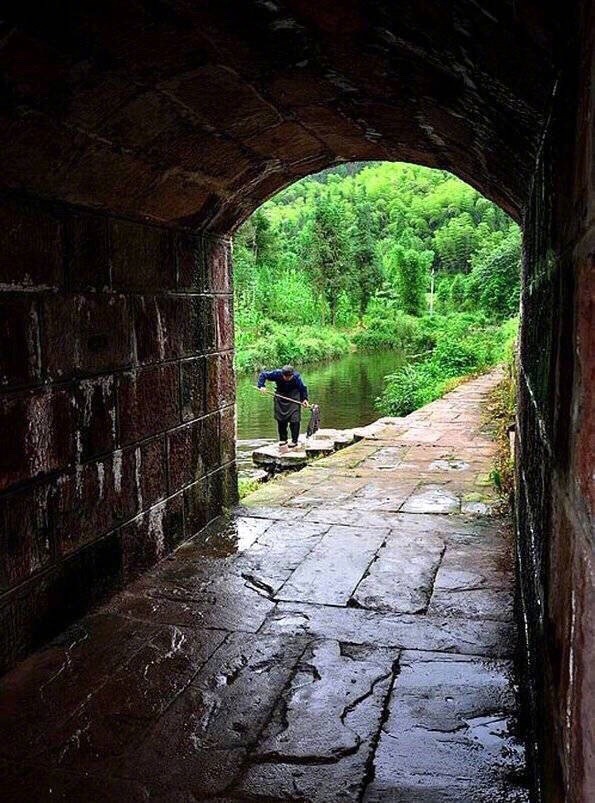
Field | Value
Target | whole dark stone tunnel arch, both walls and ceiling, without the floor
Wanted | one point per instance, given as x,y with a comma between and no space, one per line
135,137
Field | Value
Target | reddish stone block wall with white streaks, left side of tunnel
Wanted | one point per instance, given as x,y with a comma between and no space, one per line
116,406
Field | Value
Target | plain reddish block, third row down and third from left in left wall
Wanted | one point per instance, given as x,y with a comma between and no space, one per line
148,402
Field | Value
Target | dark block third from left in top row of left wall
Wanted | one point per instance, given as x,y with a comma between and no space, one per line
141,257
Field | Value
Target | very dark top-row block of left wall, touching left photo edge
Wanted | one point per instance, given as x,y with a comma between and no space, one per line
31,248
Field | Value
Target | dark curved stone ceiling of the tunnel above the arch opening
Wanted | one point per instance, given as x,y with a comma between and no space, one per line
195,112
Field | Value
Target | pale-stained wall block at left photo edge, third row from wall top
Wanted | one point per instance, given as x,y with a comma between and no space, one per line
37,435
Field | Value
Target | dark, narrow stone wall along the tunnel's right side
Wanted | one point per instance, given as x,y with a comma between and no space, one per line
555,439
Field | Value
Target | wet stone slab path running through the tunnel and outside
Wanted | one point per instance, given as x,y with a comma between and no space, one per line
346,635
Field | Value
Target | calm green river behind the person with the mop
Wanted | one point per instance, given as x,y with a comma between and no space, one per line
345,390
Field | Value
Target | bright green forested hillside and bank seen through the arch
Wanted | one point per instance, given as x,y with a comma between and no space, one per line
379,255
